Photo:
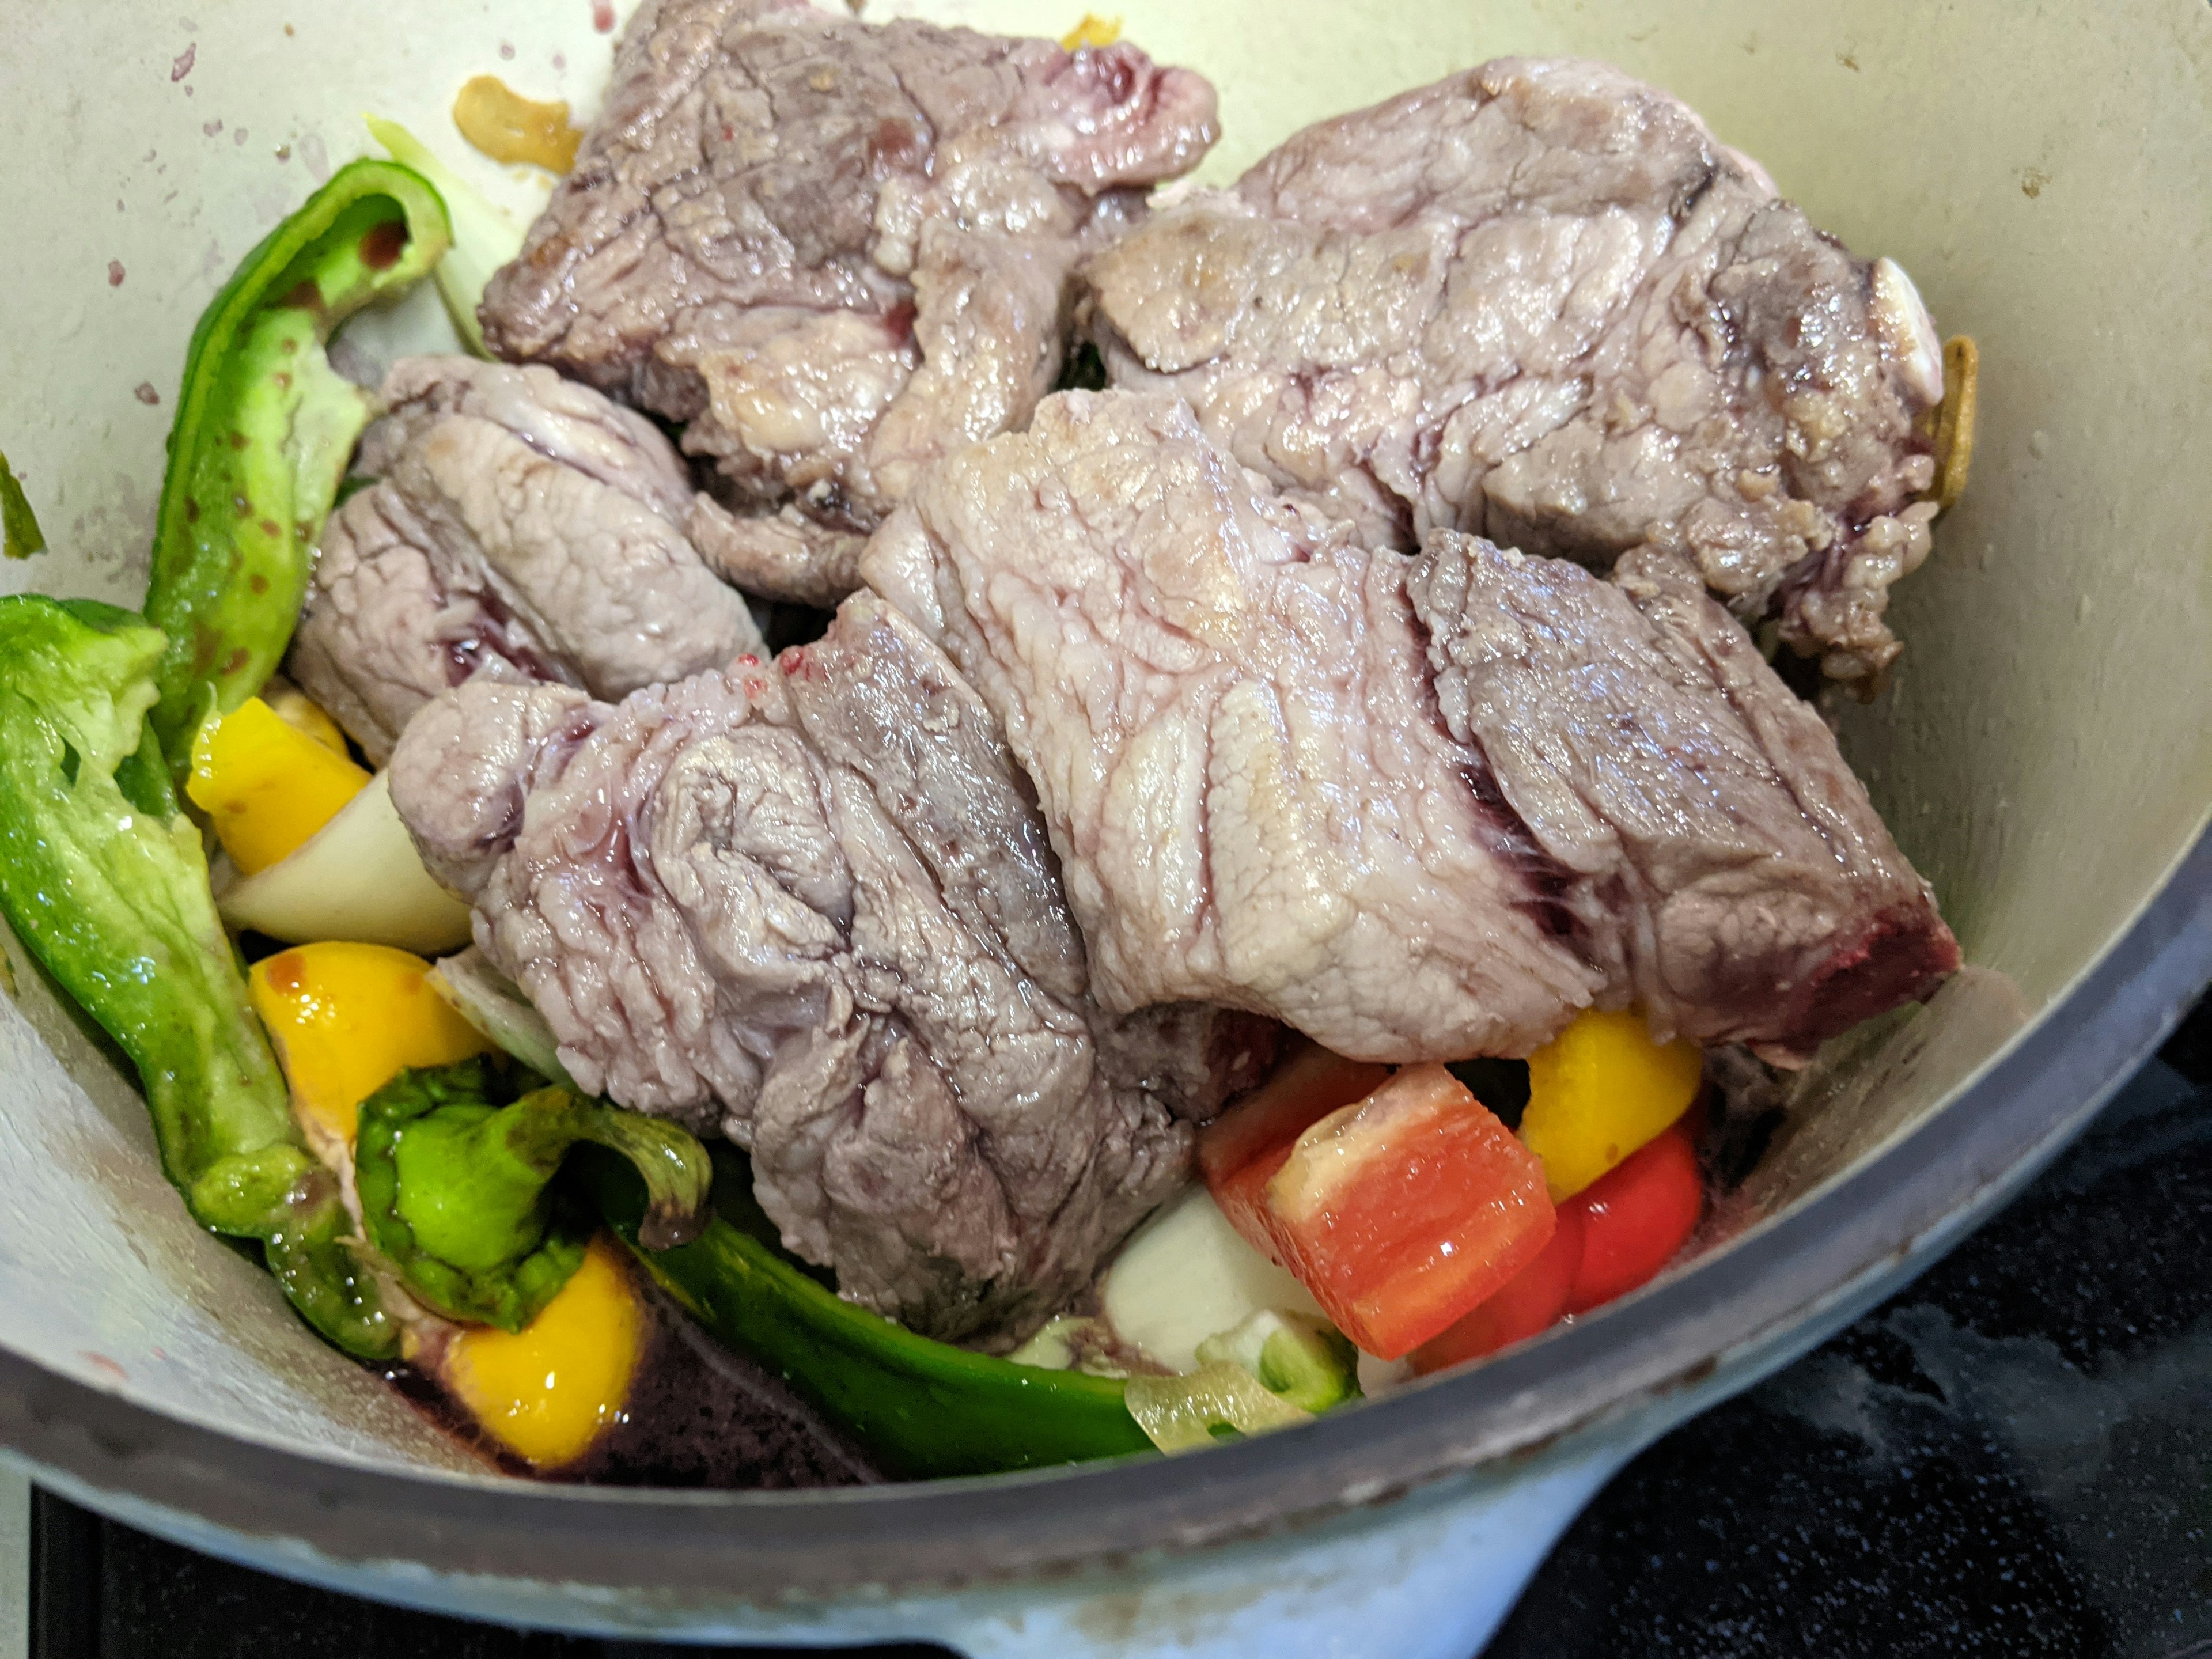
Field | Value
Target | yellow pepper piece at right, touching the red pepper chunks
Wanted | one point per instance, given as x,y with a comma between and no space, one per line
1603,1089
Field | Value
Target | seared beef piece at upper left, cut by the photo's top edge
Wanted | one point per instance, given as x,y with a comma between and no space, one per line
835,251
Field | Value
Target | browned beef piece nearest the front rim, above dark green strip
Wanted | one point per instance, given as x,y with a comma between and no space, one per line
813,906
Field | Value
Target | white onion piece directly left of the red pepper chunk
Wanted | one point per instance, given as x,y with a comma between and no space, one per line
1187,1275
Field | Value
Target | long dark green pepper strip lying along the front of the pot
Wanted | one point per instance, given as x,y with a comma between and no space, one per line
919,1408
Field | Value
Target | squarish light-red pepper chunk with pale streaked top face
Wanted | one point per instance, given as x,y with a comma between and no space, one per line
1406,1211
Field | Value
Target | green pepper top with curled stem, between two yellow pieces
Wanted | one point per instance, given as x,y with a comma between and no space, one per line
457,1187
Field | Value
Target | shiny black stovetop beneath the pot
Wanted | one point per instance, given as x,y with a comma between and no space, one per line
2010,1459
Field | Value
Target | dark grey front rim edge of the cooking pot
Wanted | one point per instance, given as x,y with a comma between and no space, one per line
1884,1220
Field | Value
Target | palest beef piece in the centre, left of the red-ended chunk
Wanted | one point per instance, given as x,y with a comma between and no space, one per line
1224,707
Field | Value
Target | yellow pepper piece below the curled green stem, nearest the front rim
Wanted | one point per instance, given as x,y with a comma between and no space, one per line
547,1390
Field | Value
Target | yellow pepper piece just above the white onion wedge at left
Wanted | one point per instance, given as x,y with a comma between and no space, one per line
267,784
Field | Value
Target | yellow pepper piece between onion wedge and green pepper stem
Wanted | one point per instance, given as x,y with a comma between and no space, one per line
346,1021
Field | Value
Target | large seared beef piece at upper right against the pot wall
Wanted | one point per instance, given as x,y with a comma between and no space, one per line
1545,304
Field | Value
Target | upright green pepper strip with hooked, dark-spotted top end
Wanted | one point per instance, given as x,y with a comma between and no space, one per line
264,435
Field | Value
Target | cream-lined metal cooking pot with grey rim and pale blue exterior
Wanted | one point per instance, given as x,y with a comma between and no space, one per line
2045,755
